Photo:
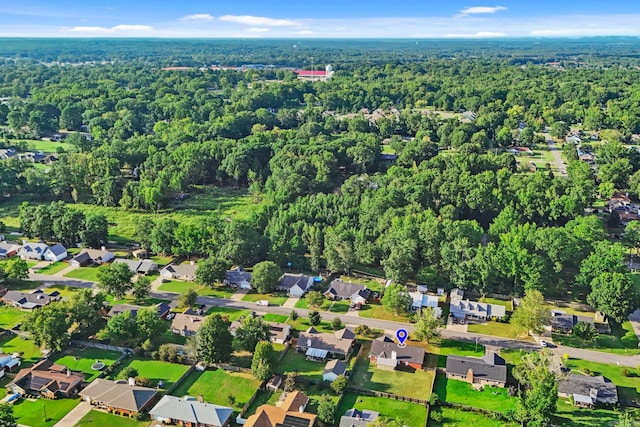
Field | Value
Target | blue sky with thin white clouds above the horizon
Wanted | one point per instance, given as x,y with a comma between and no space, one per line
325,18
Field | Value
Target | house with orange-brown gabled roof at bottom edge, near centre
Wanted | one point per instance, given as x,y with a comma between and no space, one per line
290,413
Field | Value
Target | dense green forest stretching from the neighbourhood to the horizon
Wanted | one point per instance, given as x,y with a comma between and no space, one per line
453,208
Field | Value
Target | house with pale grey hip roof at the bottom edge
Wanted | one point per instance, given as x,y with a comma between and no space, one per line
190,412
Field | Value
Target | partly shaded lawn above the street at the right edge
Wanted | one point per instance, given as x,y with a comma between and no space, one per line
622,340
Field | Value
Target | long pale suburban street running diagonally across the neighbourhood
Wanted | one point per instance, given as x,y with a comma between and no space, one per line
352,319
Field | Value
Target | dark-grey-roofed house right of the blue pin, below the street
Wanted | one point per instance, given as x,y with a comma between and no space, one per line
490,369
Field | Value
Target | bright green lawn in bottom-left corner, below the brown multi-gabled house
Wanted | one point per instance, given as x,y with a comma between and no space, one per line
31,412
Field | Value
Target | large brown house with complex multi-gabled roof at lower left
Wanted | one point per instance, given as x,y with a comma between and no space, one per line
46,379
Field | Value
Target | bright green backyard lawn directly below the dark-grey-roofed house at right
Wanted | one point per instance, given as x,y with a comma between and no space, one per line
490,398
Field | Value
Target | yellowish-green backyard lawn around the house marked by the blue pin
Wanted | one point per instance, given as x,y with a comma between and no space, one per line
403,383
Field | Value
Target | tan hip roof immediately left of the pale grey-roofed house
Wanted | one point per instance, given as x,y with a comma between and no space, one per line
119,394
